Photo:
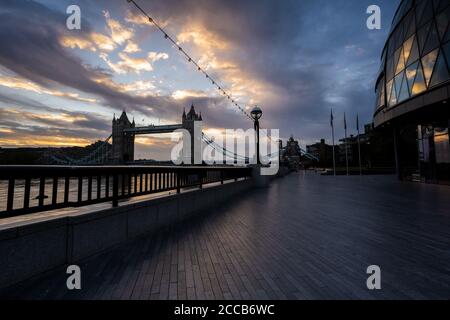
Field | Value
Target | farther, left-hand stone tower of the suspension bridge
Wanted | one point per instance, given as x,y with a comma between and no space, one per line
122,142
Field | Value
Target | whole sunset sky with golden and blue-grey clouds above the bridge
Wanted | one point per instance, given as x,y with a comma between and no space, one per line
296,59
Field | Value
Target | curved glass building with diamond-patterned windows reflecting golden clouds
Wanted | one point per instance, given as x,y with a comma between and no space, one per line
413,89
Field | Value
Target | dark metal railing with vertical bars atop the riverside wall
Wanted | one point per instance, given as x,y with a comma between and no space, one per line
74,186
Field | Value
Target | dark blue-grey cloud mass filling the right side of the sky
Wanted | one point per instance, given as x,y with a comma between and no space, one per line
308,51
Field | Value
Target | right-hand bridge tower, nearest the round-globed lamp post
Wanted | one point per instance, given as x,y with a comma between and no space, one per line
192,122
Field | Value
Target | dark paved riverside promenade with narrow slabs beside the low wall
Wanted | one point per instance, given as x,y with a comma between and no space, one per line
305,237
